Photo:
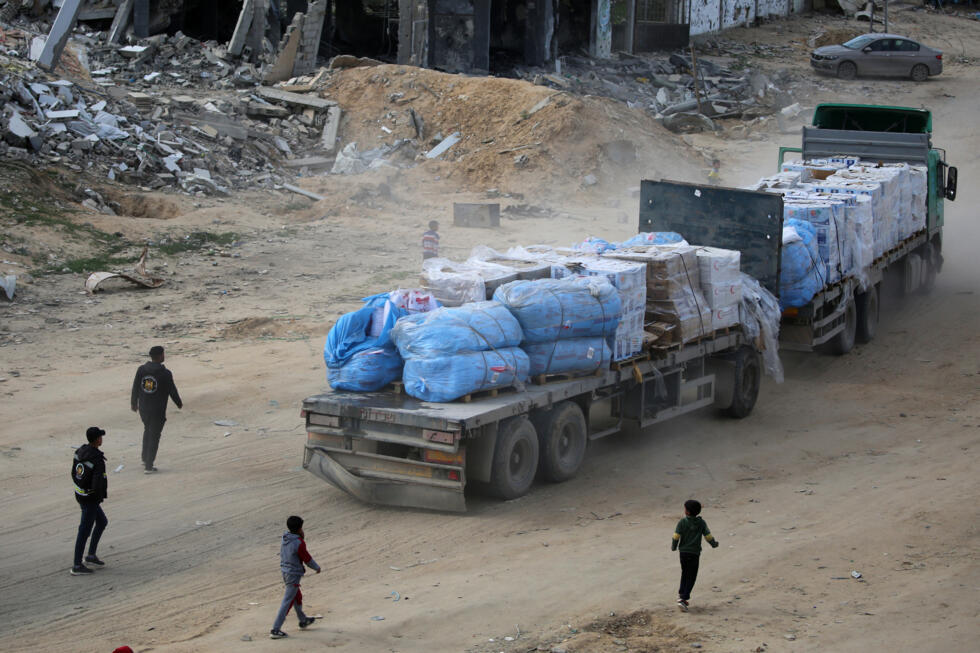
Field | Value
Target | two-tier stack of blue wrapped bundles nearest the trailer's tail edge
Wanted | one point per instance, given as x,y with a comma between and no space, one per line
452,352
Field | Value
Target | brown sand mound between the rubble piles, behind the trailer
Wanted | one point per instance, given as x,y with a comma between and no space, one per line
515,136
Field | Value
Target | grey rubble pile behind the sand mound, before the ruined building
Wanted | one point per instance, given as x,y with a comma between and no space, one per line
685,92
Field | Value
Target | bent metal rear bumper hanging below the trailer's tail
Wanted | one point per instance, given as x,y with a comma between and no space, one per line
410,493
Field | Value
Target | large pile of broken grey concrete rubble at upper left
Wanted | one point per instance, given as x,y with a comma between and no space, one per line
202,125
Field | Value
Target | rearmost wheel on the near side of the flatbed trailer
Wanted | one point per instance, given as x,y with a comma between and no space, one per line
515,458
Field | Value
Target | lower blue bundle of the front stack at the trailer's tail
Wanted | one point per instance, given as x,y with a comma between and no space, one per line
445,377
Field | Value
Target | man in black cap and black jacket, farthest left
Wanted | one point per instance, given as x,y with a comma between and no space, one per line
91,488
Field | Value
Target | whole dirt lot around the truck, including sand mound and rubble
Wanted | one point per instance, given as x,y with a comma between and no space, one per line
799,496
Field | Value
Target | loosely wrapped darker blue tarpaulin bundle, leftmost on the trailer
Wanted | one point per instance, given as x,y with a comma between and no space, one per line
355,359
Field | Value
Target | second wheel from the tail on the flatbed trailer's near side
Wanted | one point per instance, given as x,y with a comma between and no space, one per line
562,438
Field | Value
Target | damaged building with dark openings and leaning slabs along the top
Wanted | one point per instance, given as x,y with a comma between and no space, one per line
478,36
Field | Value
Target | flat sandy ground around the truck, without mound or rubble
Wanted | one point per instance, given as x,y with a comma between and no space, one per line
862,463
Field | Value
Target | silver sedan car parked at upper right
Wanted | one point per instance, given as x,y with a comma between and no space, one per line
879,54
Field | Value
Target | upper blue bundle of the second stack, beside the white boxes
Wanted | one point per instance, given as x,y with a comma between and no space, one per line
559,309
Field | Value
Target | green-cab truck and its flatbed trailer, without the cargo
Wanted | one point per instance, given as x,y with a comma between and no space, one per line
388,448
